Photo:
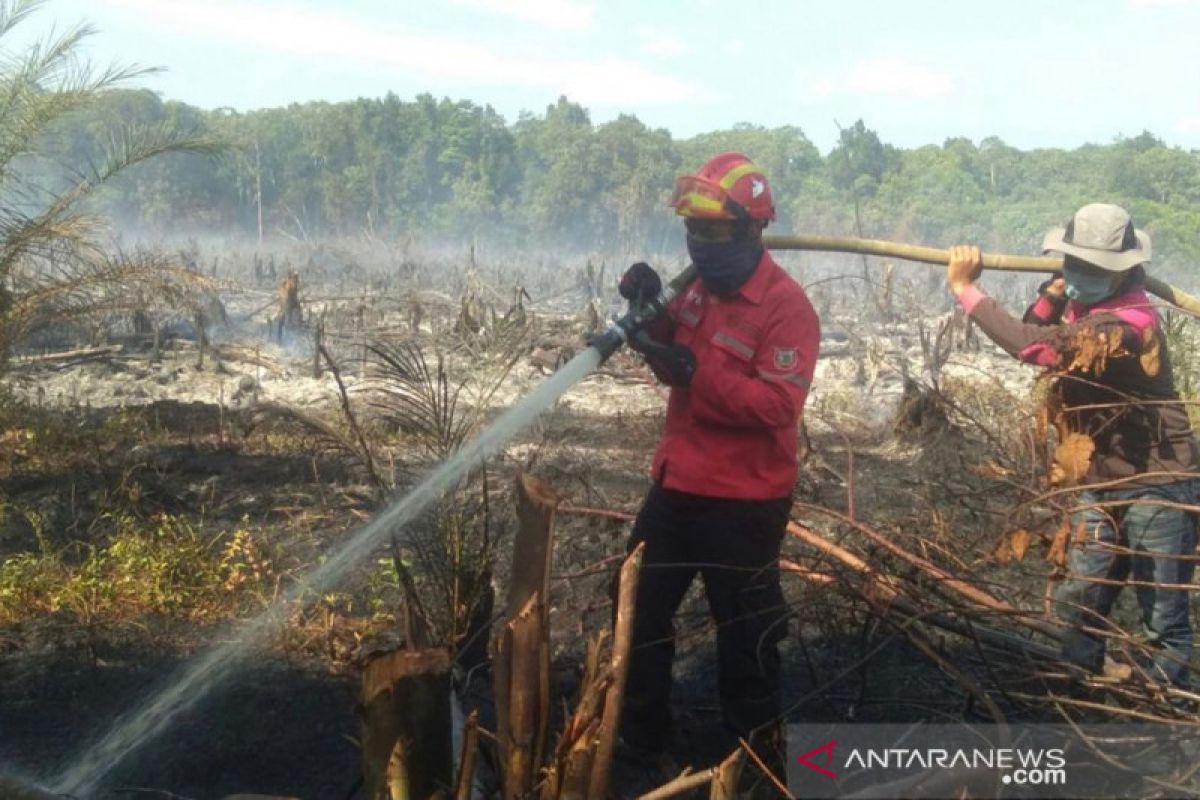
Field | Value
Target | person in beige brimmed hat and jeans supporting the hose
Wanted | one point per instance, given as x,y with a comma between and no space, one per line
1097,330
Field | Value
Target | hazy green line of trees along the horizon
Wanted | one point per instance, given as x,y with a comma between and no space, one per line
442,169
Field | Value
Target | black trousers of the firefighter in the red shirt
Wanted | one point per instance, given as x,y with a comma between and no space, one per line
735,548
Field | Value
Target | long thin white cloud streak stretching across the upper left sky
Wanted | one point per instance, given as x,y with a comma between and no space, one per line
343,39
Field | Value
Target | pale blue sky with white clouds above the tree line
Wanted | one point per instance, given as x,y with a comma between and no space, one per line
1036,74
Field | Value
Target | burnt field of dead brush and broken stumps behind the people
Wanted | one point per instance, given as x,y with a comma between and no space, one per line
928,519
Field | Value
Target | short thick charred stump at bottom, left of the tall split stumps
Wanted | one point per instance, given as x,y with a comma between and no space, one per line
405,714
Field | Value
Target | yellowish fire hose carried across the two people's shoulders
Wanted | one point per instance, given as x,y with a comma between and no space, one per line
937,256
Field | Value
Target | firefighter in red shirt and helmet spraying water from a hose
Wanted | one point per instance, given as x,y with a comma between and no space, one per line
741,346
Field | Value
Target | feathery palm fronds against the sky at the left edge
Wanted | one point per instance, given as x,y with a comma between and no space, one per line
55,261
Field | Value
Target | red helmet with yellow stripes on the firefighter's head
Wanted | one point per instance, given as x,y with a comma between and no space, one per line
729,187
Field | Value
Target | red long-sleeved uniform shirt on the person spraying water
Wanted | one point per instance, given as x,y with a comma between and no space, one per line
733,432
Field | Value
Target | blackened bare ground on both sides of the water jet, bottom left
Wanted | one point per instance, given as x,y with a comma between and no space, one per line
281,726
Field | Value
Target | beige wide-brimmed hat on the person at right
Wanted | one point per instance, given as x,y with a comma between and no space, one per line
1101,234
